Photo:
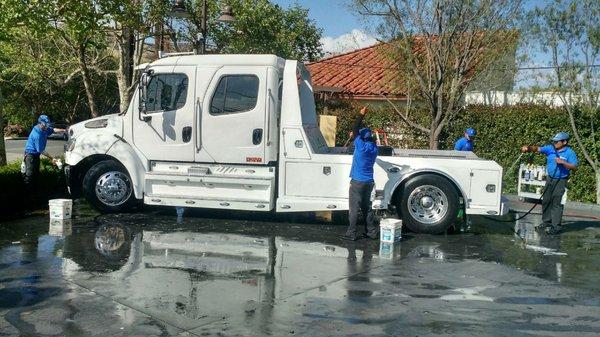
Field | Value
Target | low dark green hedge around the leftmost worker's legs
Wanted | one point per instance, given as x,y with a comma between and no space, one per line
13,198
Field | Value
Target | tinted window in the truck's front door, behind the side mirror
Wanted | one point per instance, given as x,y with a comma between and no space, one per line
166,92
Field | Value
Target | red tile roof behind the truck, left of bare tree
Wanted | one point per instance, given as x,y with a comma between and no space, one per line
363,73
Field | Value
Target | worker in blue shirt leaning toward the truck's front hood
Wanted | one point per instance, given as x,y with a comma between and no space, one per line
36,146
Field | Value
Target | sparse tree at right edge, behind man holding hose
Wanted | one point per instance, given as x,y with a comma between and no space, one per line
569,31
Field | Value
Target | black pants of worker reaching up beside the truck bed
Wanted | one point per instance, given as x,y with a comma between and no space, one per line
360,200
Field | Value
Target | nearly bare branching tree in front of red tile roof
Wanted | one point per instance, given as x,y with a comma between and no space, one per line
440,49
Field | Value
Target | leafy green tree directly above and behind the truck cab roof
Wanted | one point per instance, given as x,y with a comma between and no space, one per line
261,27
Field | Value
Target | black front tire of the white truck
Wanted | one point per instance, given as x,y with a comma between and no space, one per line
100,170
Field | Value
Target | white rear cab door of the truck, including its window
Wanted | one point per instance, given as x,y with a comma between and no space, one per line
233,116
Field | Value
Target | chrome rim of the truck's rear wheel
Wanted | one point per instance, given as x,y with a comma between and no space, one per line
427,204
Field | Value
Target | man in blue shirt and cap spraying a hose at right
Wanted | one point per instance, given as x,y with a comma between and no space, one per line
560,161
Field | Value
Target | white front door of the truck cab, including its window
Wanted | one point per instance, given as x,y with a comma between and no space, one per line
167,133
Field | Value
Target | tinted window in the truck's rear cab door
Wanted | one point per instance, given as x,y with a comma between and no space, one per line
234,93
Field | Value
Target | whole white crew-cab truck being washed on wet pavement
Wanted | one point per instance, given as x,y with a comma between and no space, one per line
240,132
